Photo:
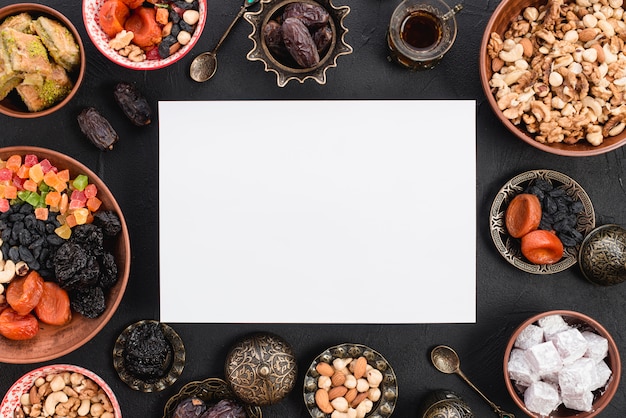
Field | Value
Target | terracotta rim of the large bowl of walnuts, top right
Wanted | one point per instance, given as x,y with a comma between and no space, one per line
506,12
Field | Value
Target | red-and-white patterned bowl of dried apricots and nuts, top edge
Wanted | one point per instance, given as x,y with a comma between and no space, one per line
144,35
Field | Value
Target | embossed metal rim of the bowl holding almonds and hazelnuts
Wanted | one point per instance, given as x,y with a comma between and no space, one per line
389,386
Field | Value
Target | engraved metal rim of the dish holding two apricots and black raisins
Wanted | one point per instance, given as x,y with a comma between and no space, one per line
509,247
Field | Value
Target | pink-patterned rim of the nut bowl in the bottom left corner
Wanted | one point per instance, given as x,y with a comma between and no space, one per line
12,398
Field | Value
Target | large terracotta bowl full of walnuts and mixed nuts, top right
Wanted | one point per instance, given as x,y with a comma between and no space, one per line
561,131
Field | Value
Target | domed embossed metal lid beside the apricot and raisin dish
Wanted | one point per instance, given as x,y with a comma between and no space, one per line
602,256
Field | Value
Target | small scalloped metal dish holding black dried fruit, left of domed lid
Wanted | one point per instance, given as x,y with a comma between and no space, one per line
149,356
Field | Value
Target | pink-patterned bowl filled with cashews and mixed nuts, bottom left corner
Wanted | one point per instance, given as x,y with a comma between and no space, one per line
73,378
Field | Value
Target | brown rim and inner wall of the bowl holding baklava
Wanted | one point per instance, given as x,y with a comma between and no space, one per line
12,105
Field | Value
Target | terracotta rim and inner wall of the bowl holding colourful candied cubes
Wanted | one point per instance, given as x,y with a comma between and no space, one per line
55,341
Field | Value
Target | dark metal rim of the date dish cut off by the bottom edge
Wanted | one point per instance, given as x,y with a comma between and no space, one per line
211,390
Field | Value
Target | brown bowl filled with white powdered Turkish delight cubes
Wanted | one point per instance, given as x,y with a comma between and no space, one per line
561,364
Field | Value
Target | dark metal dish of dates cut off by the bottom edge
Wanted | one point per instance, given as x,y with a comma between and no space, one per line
210,395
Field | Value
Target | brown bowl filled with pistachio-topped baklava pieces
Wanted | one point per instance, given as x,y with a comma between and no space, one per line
45,82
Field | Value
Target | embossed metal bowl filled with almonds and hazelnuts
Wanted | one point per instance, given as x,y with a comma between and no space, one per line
350,378
